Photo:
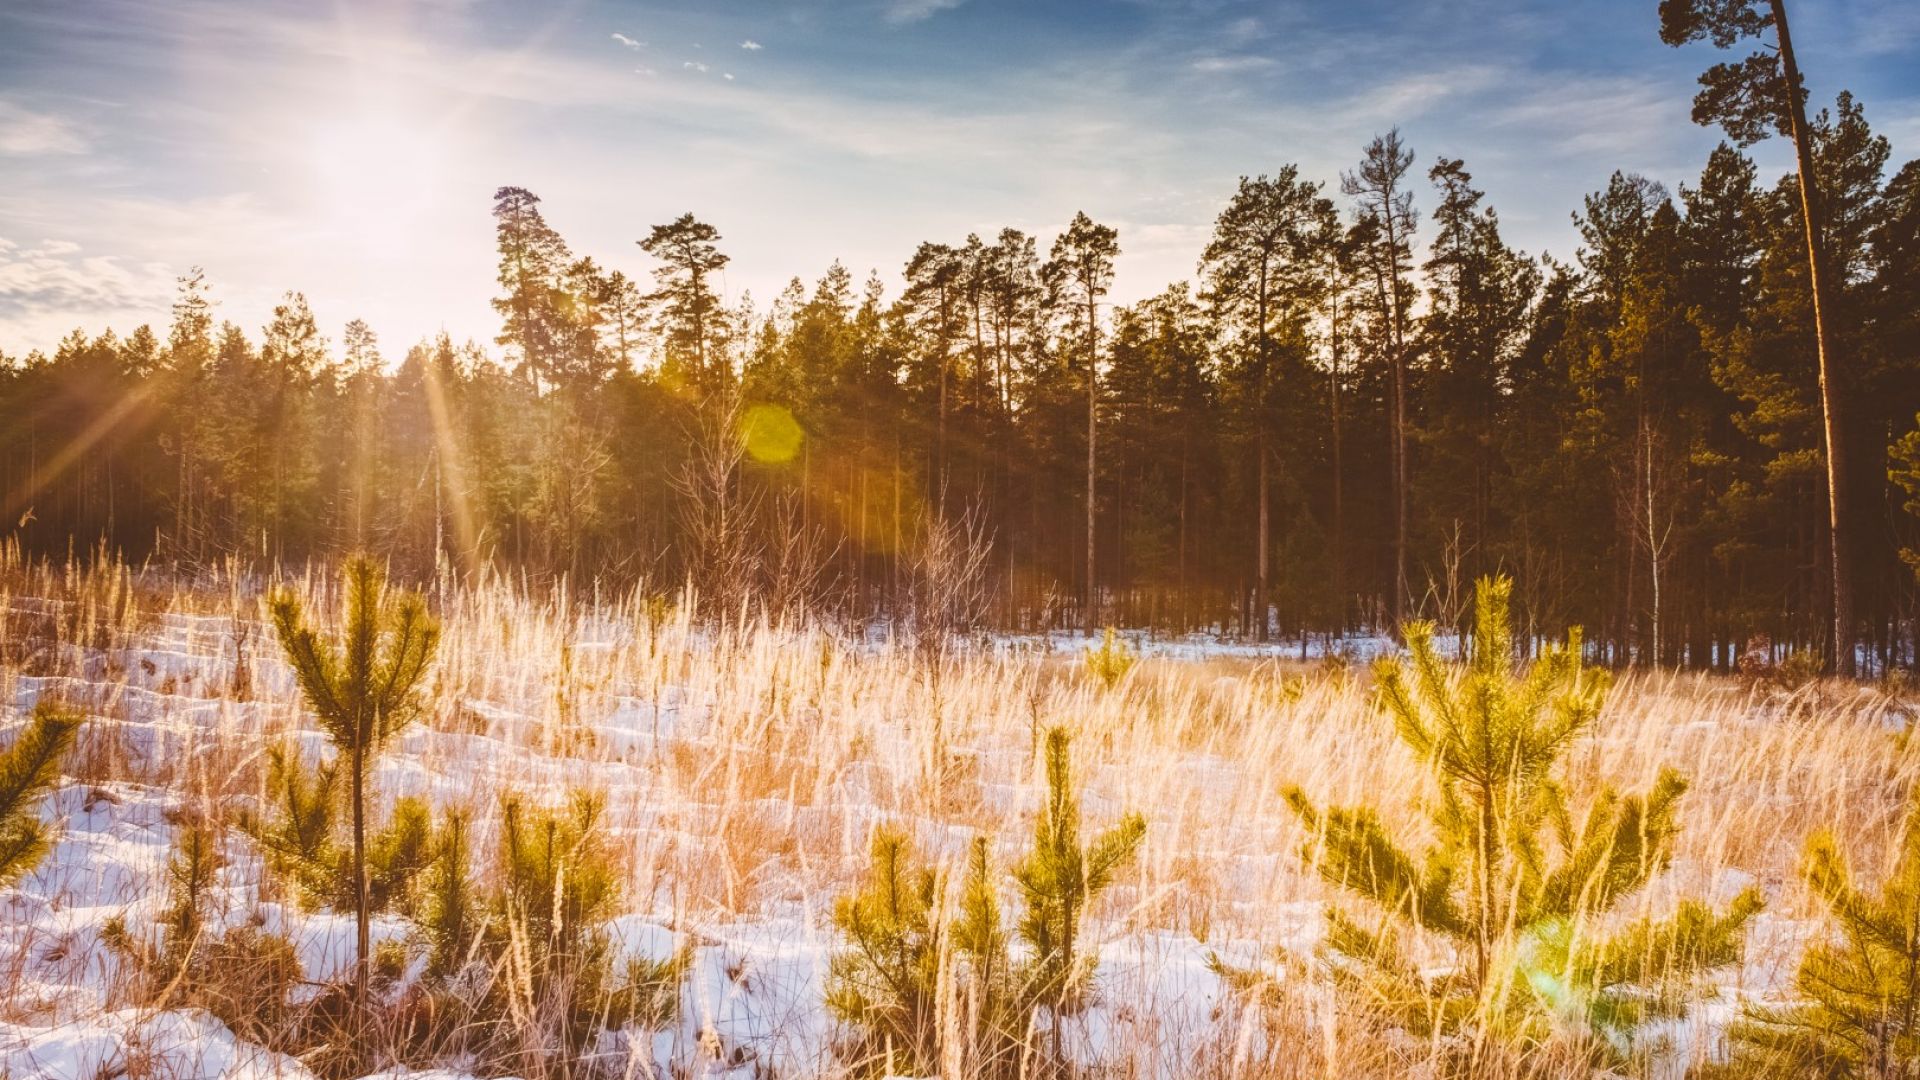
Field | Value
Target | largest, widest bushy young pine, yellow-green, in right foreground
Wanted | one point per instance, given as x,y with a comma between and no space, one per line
1516,881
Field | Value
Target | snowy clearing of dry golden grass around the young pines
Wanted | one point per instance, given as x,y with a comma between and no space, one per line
740,773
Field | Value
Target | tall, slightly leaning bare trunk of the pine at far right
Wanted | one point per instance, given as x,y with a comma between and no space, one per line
1836,468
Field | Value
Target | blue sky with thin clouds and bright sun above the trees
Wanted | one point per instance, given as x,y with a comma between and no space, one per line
350,149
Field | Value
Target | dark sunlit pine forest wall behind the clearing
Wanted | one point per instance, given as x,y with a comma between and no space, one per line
1362,403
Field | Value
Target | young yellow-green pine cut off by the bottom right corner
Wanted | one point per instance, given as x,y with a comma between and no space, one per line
1860,1012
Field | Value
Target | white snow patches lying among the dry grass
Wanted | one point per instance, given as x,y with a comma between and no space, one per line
754,1000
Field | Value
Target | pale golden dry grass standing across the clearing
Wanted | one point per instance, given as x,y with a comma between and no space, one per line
746,766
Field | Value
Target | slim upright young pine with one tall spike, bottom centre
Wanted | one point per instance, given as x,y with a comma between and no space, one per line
1061,879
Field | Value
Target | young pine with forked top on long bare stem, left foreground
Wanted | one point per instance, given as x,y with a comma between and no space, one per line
364,691
